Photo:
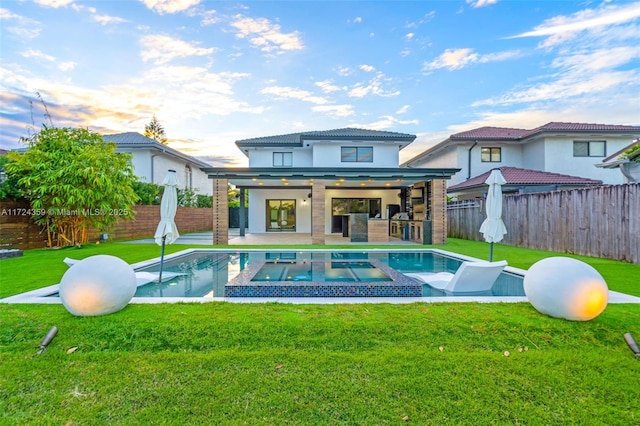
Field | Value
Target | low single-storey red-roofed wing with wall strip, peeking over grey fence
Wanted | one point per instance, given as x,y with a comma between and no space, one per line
519,181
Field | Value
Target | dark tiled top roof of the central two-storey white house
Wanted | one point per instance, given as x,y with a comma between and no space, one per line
295,139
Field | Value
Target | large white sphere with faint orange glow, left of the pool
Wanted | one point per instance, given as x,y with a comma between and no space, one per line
97,285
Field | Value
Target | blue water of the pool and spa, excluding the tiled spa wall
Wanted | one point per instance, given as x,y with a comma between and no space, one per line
206,273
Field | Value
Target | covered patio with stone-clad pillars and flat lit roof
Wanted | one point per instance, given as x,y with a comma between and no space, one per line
314,189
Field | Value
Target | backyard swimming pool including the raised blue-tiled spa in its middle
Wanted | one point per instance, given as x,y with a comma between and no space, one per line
230,274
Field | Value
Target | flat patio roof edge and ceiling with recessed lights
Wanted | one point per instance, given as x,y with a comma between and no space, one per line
352,177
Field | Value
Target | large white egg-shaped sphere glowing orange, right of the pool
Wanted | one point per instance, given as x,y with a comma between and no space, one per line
567,288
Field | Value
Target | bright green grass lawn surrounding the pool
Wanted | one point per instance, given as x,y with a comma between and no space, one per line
266,364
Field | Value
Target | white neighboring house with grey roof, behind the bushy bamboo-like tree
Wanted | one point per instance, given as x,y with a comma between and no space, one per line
151,160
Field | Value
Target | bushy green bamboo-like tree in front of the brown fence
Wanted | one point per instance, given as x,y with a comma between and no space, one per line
74,181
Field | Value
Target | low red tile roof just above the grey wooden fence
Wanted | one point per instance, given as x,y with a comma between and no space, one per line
523,177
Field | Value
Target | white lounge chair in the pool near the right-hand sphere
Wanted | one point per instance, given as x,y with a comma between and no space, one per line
471,277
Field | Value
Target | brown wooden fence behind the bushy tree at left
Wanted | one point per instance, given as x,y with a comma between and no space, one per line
17,230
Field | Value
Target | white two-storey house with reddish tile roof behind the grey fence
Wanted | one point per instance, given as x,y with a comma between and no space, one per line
566,148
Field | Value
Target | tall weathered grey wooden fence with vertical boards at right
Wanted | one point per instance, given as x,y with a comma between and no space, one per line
602,221
